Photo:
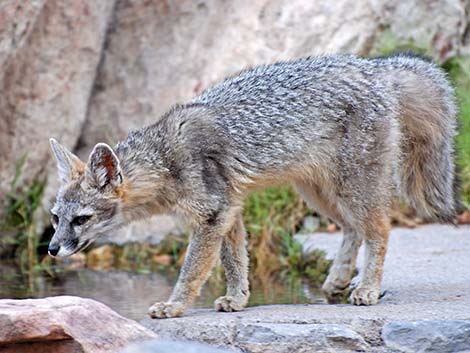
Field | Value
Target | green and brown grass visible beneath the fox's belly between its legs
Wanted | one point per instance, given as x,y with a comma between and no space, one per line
272,217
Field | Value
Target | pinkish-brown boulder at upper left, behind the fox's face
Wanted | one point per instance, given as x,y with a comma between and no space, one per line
49,53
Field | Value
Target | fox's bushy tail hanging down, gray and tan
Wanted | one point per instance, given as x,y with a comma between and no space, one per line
428,124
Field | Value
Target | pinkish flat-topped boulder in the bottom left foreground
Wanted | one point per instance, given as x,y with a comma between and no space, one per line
65,325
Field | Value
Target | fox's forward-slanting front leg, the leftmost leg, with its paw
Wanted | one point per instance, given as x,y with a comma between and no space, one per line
201,256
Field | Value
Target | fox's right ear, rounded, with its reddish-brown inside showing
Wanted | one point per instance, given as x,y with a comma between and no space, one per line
103,167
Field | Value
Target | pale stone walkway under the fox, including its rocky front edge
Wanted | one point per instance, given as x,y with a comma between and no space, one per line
426,306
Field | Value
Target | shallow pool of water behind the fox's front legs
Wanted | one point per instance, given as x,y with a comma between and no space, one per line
130,294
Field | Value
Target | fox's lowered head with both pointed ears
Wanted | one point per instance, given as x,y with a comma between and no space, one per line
88,203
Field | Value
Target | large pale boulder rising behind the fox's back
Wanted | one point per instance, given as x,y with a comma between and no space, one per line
161,53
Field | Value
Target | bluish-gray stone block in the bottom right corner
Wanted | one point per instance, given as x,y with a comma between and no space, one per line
433,336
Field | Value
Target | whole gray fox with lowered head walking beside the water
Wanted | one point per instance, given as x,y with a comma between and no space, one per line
349,133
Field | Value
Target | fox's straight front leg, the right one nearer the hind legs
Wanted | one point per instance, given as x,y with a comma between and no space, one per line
234,258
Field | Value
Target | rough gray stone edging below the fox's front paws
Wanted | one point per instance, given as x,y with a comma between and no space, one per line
258,337
